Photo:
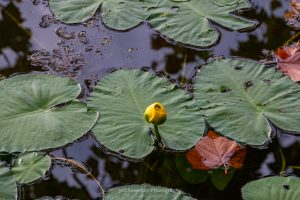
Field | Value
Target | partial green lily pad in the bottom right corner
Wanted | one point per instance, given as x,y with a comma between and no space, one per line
275,188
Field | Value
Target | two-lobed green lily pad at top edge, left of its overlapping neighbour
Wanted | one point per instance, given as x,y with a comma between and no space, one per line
117,14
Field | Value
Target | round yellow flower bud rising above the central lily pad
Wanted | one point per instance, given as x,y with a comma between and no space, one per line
155,114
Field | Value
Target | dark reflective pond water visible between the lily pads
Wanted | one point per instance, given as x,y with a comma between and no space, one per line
32,41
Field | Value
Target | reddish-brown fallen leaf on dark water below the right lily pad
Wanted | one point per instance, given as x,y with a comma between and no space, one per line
214,151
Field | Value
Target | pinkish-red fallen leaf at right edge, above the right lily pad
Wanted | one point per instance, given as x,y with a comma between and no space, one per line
288,59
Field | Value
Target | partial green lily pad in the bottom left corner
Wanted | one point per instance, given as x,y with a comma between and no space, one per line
8,186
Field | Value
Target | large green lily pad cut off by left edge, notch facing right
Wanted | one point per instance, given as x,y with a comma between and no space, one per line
40,112
